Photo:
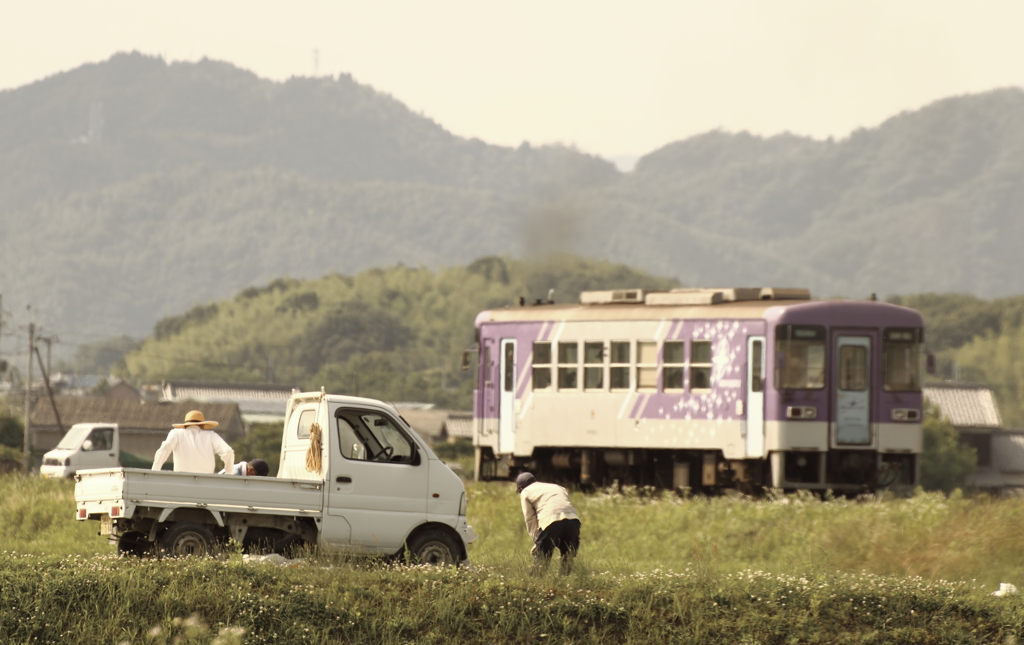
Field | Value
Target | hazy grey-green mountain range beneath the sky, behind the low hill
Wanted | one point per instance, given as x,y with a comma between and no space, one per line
132,190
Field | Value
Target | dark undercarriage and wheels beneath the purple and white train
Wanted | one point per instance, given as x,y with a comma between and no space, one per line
707,472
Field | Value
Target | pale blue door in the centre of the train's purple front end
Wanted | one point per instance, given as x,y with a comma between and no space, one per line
854,391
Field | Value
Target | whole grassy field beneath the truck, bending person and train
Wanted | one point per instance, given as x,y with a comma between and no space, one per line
790,570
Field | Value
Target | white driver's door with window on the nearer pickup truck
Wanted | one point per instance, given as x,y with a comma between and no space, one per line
378,480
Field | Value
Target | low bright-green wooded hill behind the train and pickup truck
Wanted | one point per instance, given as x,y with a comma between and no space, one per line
395,334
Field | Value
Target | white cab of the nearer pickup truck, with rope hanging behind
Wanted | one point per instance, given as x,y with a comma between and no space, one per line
383,486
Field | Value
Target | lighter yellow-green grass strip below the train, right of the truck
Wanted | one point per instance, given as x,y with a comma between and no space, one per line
927,536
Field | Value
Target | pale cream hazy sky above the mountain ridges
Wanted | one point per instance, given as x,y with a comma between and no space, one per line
620,78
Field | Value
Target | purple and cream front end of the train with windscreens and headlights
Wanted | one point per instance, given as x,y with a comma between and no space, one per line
846,408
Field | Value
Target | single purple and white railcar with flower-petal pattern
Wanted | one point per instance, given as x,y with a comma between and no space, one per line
702,389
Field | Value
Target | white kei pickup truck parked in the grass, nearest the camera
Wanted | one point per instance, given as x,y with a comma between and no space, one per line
379,491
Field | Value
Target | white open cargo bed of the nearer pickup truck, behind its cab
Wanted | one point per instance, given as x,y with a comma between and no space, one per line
118,492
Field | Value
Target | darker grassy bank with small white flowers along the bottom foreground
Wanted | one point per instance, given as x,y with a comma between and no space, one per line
107,600
